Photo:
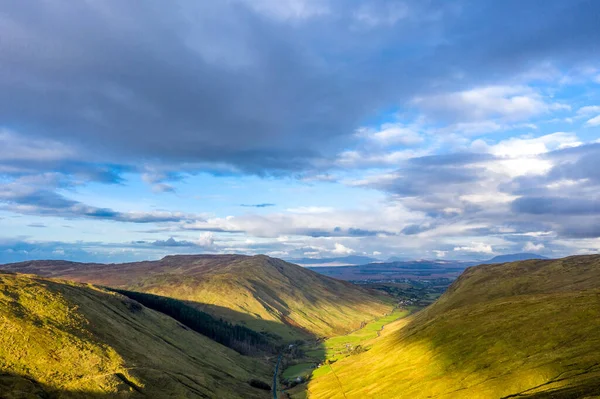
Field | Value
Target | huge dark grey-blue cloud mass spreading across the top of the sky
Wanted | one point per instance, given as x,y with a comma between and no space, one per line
217,83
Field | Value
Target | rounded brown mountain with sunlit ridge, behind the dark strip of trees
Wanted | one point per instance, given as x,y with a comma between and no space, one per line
262,293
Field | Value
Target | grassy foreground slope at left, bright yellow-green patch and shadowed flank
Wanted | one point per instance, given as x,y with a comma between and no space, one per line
60,339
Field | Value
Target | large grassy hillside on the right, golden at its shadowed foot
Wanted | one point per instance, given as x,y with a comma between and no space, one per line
530,327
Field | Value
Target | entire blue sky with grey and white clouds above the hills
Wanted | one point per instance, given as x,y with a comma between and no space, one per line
299,128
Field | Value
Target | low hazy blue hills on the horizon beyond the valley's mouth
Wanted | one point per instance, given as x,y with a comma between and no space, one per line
416,269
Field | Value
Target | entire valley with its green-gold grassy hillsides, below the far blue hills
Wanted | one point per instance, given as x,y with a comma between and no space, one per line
216,326
